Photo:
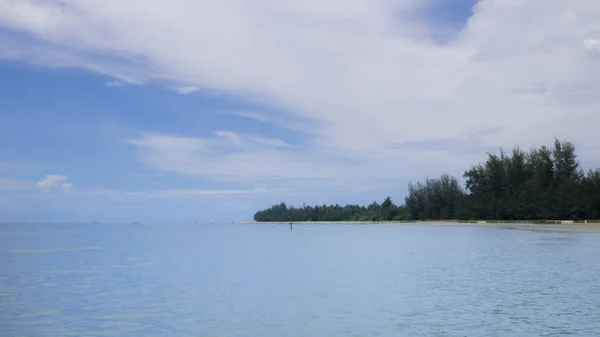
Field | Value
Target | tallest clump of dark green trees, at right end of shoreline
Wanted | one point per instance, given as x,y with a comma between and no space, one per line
544,184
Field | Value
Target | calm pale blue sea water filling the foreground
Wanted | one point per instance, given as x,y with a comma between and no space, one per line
346,280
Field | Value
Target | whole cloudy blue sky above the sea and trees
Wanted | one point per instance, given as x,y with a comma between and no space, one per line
170,111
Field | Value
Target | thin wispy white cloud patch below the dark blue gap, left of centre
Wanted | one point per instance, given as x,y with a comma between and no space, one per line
226,156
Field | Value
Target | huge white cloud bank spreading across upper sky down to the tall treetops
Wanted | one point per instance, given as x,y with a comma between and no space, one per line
363,72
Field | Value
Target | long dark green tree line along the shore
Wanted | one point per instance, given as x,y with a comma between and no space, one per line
542,184
